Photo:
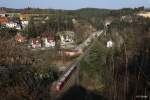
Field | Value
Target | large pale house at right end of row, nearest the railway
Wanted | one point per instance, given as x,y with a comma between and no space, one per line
66,39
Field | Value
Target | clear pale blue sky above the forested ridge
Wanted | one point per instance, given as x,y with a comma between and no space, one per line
74,4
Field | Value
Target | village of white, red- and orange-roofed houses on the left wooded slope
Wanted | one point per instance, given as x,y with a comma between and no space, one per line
47,39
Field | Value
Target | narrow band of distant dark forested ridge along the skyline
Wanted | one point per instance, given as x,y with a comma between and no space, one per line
87,11
